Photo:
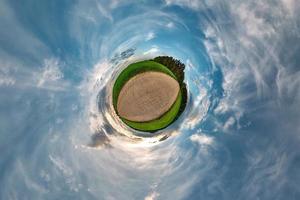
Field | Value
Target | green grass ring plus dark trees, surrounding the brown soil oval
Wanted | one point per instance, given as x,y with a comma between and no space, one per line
160,64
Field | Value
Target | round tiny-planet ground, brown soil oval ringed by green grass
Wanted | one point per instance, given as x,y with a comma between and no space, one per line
147,96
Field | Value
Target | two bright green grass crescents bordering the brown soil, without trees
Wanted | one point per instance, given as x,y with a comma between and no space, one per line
133,70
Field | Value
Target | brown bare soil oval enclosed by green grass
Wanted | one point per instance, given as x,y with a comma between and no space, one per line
147,96
